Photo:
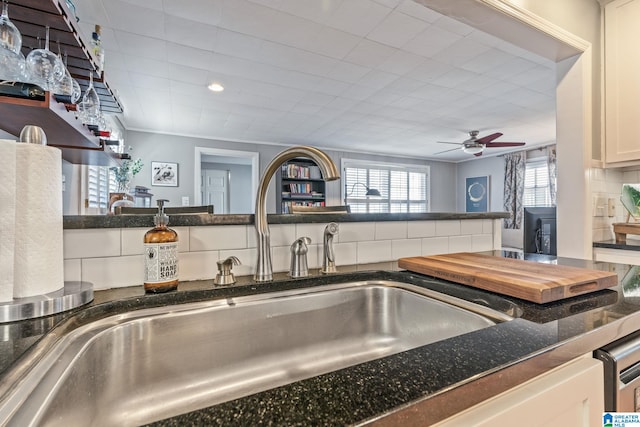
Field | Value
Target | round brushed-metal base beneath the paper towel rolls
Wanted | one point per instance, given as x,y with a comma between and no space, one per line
70,296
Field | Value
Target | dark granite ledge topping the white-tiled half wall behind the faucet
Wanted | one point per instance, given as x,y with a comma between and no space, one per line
120,221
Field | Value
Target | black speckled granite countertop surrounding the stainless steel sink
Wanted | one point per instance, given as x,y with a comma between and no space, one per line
436,380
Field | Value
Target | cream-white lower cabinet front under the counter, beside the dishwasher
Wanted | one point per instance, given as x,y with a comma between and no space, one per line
570,395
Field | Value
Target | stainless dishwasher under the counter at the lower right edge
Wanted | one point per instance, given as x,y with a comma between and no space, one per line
621,361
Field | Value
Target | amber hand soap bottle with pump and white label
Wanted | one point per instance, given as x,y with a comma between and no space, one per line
161,255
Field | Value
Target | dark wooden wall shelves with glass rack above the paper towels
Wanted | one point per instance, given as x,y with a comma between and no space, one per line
63,129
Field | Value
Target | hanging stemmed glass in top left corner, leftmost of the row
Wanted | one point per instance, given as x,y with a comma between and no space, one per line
11,58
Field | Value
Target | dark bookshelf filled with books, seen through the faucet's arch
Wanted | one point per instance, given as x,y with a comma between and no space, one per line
299,183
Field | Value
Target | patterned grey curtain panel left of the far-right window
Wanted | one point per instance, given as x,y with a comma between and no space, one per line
514,188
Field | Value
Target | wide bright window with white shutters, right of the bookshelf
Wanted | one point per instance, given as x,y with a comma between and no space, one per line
403,188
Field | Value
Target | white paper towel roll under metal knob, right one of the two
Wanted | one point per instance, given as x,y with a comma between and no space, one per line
38,264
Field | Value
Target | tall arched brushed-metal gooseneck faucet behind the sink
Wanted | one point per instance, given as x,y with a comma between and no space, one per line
264,269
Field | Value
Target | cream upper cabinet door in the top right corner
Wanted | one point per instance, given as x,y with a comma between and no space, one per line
622,83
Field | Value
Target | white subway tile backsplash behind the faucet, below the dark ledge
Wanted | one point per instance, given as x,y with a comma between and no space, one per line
111,258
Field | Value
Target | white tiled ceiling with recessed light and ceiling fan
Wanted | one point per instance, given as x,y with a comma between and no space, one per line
376,76
